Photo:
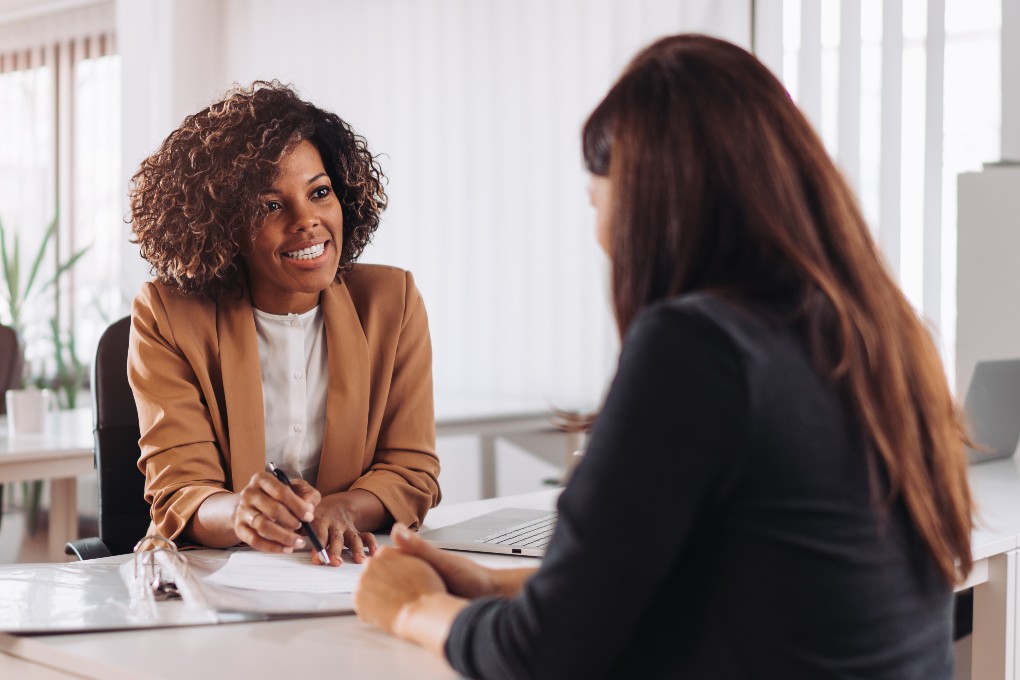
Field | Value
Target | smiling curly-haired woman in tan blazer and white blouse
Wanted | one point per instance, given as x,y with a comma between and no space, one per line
261,340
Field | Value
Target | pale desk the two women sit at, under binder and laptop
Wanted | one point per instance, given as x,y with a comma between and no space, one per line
345,646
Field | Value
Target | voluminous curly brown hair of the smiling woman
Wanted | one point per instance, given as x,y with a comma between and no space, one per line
195,203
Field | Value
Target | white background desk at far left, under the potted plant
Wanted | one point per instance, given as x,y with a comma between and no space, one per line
60,455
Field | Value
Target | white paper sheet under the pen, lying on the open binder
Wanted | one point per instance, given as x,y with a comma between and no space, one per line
287,573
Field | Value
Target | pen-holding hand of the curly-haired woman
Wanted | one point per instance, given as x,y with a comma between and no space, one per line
269,514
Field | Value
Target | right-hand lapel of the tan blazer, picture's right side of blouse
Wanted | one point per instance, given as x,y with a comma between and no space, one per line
347,396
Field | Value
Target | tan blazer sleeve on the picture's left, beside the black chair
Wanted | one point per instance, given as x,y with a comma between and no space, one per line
181,459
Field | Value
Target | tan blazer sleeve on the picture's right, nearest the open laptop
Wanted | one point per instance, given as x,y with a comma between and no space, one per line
404,472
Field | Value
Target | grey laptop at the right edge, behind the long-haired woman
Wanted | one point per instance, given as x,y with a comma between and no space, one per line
993,408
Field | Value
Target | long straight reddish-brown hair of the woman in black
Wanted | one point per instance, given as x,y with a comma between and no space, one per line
719,182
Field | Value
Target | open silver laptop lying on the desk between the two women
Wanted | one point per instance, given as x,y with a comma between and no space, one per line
506,532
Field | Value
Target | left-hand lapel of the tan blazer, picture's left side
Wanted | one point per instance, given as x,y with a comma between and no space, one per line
242,389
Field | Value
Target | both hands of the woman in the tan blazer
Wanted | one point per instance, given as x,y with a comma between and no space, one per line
269,517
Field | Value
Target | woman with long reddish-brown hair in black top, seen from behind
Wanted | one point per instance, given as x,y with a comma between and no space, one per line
776,486
